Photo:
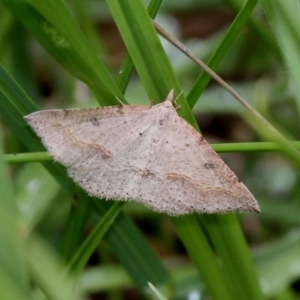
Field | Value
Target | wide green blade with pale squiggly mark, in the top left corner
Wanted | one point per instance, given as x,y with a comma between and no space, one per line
60,36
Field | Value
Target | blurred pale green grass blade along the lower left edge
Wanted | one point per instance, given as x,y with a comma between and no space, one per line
13,265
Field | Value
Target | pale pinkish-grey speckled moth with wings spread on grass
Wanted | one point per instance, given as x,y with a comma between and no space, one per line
141,153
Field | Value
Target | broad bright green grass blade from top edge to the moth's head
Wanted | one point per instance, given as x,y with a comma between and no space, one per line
146,52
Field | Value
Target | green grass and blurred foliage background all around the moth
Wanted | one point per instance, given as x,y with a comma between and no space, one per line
56,242
